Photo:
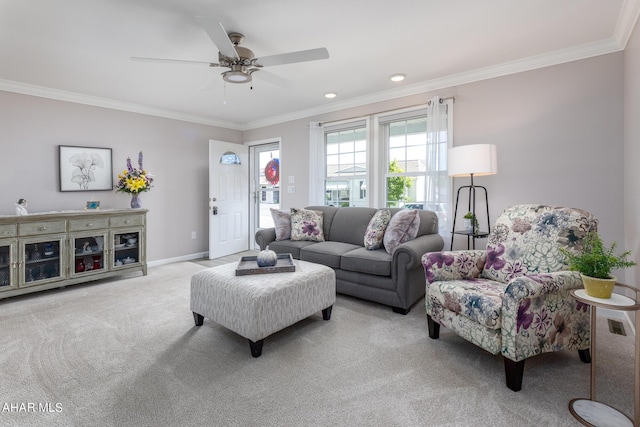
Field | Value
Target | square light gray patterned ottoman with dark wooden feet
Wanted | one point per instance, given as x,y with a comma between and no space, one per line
256,306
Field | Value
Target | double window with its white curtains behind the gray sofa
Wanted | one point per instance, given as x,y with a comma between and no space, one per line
400,162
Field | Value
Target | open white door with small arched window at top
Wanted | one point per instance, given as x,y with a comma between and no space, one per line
228,199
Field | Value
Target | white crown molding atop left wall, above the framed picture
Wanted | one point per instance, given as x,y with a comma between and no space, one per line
78,98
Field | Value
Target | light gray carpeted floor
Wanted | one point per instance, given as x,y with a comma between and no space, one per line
126,353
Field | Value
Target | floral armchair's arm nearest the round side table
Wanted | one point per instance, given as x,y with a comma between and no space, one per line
540,315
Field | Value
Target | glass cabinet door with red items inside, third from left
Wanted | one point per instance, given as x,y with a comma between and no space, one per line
89,254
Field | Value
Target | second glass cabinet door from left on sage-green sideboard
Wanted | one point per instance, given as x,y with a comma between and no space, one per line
42,260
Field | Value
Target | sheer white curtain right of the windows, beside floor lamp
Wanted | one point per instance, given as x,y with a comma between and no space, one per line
440,137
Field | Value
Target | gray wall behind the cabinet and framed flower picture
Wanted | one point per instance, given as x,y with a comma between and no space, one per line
175,152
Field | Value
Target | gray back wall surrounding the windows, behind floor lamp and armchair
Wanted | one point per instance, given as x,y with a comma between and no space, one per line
559,133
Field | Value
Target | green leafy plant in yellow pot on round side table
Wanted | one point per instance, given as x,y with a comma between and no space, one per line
595,262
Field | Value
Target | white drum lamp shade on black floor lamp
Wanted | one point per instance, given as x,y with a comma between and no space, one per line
476,159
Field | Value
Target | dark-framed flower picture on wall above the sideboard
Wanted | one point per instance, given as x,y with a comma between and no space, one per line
85,168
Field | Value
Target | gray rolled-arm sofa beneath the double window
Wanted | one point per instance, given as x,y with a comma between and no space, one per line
396,280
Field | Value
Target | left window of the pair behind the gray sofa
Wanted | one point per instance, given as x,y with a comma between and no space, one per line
345,165
